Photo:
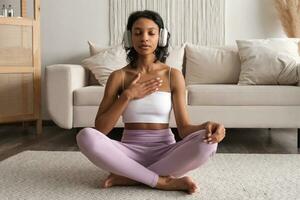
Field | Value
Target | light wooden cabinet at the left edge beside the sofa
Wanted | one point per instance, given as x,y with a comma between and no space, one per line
20,66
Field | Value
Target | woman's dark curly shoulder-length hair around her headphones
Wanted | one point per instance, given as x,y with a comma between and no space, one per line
161,53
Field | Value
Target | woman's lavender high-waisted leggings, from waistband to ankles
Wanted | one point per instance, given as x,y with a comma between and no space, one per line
144,155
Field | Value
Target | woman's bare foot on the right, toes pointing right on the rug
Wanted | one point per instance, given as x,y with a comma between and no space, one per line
170,183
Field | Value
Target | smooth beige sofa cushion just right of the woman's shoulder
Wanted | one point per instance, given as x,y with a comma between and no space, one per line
211,65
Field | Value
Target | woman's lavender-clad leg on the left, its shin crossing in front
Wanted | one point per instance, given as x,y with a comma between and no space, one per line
103,152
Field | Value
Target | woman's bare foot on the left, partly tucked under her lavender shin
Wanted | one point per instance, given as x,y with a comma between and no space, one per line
113,180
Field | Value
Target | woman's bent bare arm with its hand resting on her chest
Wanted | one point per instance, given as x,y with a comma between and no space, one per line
112,107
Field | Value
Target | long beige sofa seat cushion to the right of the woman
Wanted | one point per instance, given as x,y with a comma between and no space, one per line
243,95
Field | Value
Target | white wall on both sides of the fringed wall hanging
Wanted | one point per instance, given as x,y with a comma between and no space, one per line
67,25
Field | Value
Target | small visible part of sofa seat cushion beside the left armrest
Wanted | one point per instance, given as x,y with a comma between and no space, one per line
88,96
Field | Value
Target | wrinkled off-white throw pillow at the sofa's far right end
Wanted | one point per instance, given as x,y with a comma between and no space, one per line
268,61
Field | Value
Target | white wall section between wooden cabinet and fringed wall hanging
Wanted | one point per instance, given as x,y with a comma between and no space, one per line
65,28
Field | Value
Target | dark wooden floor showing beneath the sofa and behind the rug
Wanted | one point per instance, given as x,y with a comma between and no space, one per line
15,139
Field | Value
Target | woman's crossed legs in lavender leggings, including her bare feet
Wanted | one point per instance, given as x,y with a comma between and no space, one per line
115,157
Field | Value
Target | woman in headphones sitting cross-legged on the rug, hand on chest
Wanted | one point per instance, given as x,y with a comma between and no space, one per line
144,92
